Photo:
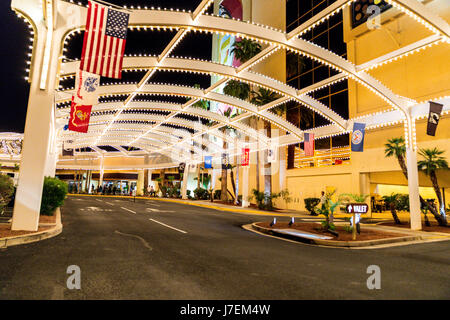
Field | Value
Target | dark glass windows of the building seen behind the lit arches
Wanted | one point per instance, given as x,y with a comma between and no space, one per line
302,72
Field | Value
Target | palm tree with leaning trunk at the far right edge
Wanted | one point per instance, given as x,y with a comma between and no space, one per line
433,161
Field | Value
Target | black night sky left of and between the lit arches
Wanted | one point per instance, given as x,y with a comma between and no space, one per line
13,56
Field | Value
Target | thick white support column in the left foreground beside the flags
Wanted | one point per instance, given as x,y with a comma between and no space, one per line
37,136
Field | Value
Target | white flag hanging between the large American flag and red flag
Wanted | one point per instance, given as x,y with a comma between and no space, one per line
86,88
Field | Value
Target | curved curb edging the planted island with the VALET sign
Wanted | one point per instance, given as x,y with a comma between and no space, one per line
334,243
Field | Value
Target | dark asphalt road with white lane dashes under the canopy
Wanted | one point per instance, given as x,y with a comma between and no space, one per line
160,250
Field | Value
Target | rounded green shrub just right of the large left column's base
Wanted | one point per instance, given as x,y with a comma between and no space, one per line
53,195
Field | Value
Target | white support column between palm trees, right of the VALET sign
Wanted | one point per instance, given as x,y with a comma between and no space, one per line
413,186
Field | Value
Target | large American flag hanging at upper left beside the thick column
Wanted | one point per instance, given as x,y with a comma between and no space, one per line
104,41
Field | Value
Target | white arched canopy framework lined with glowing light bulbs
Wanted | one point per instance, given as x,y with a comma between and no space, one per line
185,22
